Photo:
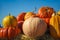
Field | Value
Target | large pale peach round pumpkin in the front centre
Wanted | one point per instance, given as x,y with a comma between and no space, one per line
34,27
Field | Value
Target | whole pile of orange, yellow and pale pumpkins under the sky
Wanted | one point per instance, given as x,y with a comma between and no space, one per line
32,24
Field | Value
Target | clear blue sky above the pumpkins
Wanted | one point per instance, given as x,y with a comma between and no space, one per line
17,6
